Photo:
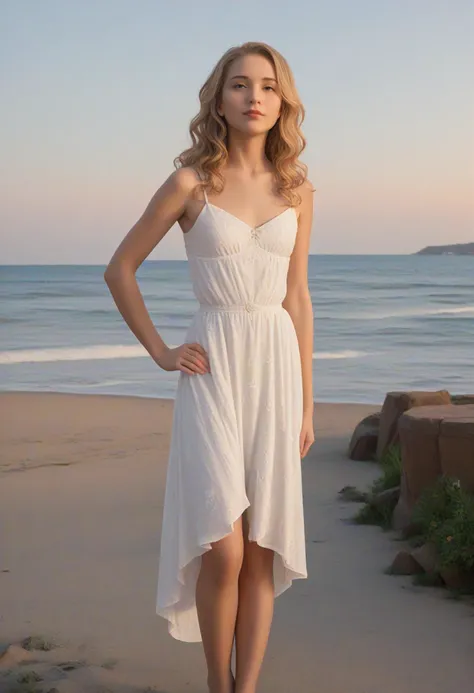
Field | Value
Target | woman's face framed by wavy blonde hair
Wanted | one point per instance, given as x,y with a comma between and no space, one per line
250,85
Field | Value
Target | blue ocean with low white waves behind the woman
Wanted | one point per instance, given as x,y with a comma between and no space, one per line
381,323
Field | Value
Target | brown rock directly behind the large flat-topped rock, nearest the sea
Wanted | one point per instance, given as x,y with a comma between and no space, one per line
395,404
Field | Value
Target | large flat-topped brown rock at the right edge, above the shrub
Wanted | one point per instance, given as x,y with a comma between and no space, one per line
422,446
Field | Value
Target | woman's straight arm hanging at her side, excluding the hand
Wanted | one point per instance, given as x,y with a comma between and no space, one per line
298,299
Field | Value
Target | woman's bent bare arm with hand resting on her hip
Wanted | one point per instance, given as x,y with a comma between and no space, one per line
166,206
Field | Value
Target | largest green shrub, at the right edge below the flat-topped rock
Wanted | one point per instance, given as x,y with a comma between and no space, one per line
445,514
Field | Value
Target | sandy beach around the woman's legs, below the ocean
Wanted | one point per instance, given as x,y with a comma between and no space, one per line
81,496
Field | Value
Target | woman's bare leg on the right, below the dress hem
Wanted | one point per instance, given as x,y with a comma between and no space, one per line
255,613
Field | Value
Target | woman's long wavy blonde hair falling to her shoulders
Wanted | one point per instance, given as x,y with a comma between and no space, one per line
284,143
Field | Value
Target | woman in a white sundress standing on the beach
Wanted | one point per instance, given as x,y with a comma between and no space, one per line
233,530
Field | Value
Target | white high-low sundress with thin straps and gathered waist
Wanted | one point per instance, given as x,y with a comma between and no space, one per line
235,434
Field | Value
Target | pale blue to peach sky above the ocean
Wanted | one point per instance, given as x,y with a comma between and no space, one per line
98,96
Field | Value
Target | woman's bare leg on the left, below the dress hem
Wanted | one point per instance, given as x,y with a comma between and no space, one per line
216,602
